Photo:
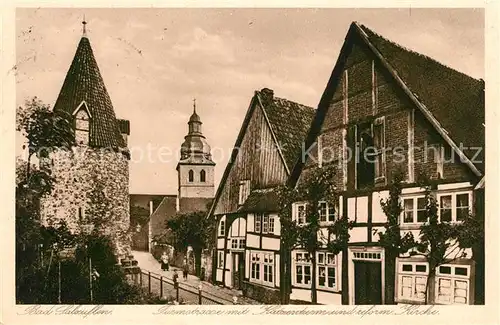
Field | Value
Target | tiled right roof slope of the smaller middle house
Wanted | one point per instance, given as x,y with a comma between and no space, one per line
289,122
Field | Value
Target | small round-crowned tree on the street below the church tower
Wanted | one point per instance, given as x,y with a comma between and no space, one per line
192,229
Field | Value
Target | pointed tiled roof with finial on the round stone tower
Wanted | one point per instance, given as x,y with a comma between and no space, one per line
84,87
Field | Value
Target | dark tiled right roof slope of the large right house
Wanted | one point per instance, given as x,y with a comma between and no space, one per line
453,98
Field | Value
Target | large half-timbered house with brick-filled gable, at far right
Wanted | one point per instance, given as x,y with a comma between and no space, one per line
418,117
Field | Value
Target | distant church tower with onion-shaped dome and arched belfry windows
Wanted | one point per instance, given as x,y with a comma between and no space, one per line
195,168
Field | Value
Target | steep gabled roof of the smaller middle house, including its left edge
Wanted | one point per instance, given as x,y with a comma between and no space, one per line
289,123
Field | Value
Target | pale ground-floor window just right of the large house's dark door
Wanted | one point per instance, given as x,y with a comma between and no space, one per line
412,280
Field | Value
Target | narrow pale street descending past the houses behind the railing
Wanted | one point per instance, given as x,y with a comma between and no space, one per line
148,263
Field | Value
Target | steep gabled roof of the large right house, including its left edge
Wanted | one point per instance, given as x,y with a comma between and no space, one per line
451,101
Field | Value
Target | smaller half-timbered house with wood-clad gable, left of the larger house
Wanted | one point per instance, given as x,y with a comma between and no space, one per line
248,227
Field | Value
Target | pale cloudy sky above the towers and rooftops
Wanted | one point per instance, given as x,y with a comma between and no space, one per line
155,61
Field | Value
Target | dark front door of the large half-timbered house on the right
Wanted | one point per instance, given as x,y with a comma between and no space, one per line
367,283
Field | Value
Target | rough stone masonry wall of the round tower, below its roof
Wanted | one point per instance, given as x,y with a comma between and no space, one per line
77,173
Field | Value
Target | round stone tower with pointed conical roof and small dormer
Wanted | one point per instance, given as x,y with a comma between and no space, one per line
92,179
